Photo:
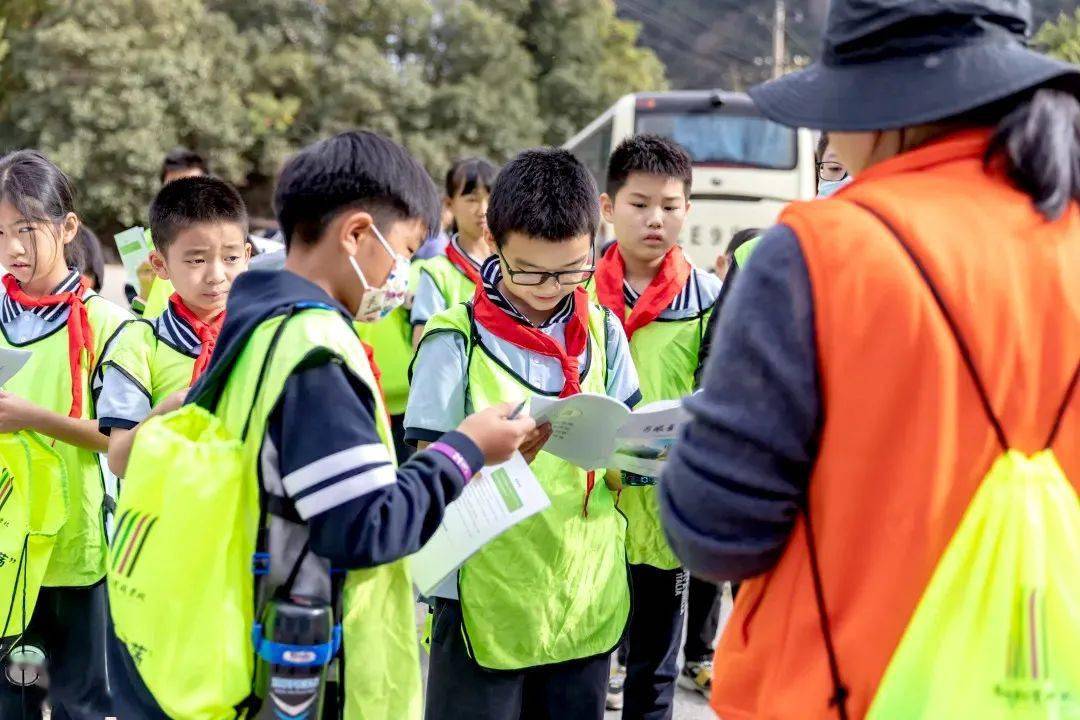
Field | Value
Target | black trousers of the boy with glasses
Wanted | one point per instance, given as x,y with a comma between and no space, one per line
458,689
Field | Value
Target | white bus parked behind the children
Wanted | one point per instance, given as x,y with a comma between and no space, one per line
746,167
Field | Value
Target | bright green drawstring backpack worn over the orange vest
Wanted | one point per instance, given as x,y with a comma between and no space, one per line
996,634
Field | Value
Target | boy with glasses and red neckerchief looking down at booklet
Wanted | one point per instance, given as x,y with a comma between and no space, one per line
548,601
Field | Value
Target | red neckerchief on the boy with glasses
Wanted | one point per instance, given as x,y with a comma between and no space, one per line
526,337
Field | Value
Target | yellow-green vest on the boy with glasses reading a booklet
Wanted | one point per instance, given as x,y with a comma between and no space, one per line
555,588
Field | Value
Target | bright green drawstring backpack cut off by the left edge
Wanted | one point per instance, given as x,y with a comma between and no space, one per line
34,507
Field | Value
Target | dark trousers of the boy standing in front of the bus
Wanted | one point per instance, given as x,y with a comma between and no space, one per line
656,630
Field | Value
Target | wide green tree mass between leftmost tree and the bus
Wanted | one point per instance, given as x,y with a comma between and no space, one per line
444,77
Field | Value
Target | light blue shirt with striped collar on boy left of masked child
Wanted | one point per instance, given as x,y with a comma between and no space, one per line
123,402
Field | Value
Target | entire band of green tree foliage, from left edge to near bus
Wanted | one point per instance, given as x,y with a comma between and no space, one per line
107,87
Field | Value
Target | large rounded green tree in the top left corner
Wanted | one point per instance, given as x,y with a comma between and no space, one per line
105,88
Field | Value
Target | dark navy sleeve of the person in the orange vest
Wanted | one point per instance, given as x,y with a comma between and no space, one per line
737,479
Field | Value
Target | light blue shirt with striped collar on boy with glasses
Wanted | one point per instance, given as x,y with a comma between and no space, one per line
441,400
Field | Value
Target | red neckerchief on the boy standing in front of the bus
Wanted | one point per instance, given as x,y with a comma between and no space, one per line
665,288
